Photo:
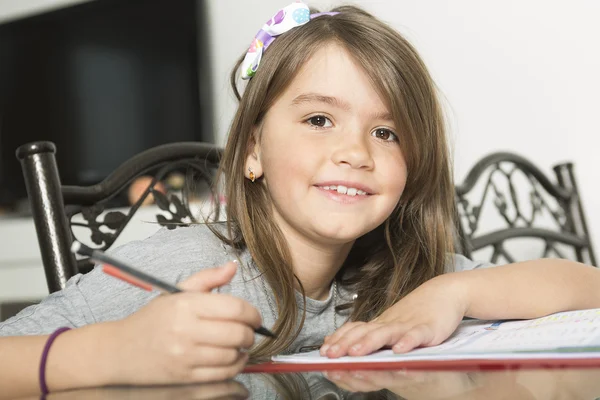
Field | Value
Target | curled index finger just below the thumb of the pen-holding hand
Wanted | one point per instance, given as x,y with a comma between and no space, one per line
218,306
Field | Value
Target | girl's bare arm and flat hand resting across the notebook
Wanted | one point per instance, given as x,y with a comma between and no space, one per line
428,315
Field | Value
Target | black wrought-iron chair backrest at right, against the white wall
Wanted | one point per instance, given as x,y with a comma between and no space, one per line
505,197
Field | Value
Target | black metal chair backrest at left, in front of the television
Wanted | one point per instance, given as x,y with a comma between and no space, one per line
54,205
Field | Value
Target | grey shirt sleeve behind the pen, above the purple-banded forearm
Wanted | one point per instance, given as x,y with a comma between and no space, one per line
97,297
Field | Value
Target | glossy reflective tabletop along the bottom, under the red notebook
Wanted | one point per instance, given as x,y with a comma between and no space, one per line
549,383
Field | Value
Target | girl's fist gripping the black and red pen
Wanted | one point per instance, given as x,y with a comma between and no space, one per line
189,337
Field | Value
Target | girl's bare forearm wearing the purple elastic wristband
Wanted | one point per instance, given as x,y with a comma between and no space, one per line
78,358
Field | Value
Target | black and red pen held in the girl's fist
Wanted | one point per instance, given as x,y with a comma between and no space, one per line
117,268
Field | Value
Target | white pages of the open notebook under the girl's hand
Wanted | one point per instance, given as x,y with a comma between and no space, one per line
574,334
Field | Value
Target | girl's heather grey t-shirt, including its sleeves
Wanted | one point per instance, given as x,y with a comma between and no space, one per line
173,255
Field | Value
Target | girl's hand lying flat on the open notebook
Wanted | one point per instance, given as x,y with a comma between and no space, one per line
425,317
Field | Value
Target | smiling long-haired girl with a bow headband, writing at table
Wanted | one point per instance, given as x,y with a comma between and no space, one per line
340,204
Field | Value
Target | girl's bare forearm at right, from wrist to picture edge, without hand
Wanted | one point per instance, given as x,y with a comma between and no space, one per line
530,289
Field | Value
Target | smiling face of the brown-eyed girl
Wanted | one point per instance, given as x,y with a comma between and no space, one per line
329,153
